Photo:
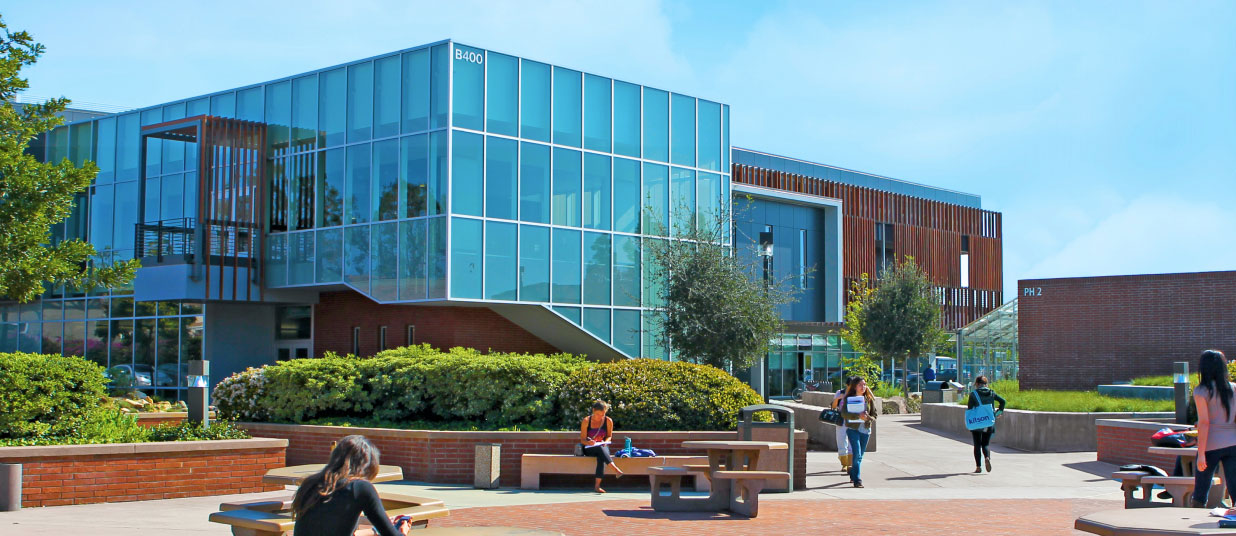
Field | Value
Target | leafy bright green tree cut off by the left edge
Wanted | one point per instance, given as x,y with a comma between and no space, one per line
35,197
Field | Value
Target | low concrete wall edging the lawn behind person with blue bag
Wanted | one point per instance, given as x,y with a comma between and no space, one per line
1035,432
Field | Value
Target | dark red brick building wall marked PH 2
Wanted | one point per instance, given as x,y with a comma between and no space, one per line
1081,333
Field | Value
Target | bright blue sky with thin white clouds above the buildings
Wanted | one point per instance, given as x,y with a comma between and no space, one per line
1106,133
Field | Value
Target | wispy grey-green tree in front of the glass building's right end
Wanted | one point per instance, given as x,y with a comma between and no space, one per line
714,306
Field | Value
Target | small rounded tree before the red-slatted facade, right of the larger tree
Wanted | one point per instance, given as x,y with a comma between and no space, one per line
902,319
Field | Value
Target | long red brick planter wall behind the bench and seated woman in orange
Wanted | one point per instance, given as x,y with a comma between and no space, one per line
447,458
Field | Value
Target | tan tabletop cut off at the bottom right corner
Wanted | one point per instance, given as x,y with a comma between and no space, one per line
1153,522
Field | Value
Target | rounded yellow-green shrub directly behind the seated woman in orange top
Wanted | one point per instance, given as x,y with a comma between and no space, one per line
650,395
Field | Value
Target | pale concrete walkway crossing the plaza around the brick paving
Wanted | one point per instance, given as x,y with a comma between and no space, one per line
914,465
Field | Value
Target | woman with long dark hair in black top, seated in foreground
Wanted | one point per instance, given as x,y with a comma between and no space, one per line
331,503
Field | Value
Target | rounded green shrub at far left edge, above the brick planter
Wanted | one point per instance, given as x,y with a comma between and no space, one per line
48,396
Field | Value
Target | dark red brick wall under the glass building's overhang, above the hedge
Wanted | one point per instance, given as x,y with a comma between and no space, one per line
441,327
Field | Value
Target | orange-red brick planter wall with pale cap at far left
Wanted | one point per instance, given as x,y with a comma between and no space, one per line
122,472
